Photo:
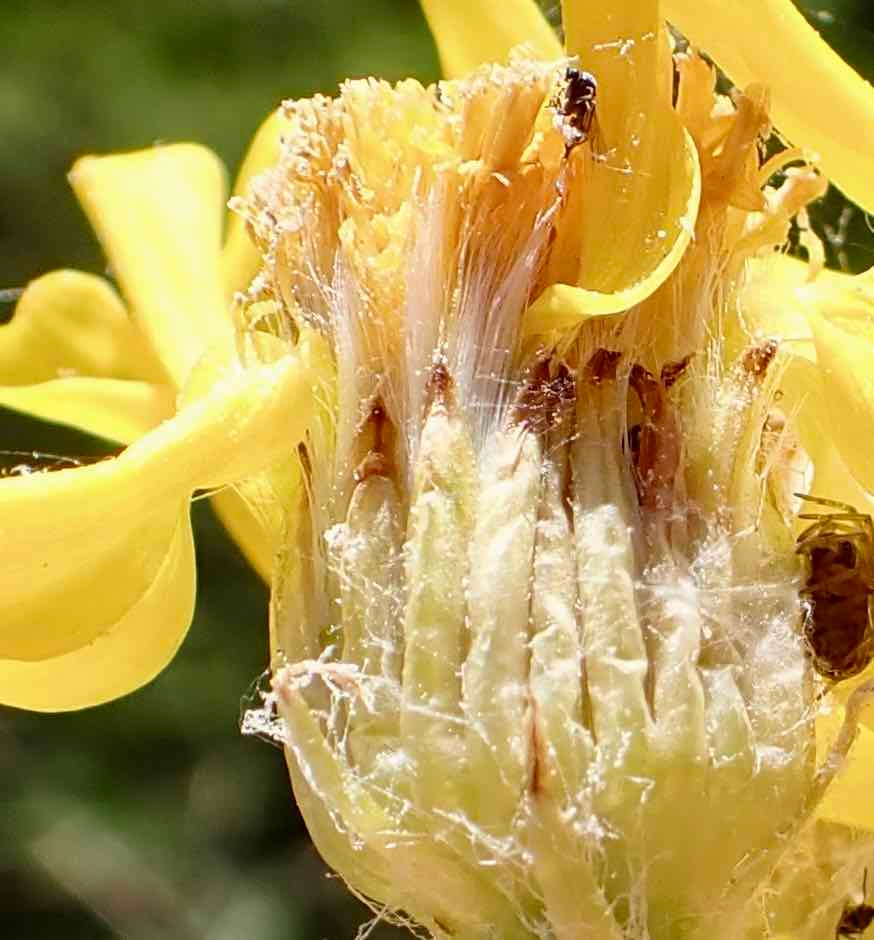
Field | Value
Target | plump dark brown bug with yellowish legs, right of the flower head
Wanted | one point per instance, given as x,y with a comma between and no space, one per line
838,548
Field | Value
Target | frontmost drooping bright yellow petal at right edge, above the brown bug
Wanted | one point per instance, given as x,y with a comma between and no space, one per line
844,340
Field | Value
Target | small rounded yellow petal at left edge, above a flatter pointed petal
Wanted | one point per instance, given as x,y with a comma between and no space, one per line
69,323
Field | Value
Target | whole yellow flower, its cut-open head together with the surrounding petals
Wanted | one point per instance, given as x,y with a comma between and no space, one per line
524,400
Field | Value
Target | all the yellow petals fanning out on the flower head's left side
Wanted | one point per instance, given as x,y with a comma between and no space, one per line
116,591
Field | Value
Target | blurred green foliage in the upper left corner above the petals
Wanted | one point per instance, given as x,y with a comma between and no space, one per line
82,76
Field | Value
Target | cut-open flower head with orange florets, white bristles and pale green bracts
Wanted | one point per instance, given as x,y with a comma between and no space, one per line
538,627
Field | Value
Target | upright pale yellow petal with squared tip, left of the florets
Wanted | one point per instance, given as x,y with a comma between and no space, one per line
159,216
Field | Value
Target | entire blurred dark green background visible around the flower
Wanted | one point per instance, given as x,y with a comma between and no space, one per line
152,817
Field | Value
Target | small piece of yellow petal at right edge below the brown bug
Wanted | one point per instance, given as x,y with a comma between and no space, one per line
848,798
